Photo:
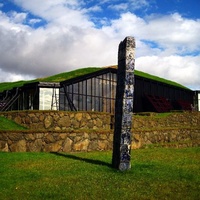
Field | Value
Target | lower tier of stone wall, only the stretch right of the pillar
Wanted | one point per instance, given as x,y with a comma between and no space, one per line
166,137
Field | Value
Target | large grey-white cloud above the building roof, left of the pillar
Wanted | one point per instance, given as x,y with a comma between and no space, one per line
53,49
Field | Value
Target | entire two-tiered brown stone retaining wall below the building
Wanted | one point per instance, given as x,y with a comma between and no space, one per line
176,130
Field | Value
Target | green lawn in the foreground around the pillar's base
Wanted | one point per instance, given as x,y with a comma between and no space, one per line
158,173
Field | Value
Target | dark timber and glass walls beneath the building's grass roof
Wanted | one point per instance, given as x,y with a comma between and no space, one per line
92,92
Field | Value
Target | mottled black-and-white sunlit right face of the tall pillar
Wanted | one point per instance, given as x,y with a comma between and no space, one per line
125,146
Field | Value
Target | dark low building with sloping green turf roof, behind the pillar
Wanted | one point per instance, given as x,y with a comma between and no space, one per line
93,89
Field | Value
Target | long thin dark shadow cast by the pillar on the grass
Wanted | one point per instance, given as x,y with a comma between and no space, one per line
92,161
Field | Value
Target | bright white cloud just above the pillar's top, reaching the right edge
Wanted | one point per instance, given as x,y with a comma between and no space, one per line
171,32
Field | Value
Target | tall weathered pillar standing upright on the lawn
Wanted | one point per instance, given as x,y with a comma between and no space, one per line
121,158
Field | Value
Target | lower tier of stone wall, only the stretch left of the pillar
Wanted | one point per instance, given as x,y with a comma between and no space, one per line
57,141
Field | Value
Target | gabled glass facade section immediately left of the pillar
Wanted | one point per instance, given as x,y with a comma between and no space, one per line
92,94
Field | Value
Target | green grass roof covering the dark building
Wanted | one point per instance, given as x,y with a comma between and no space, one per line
79,72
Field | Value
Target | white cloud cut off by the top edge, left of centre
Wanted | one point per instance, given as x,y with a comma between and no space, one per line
59,12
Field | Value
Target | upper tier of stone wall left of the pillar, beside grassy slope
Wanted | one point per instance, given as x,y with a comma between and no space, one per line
59,120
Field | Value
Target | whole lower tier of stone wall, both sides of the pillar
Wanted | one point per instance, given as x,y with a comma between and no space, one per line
70,140
